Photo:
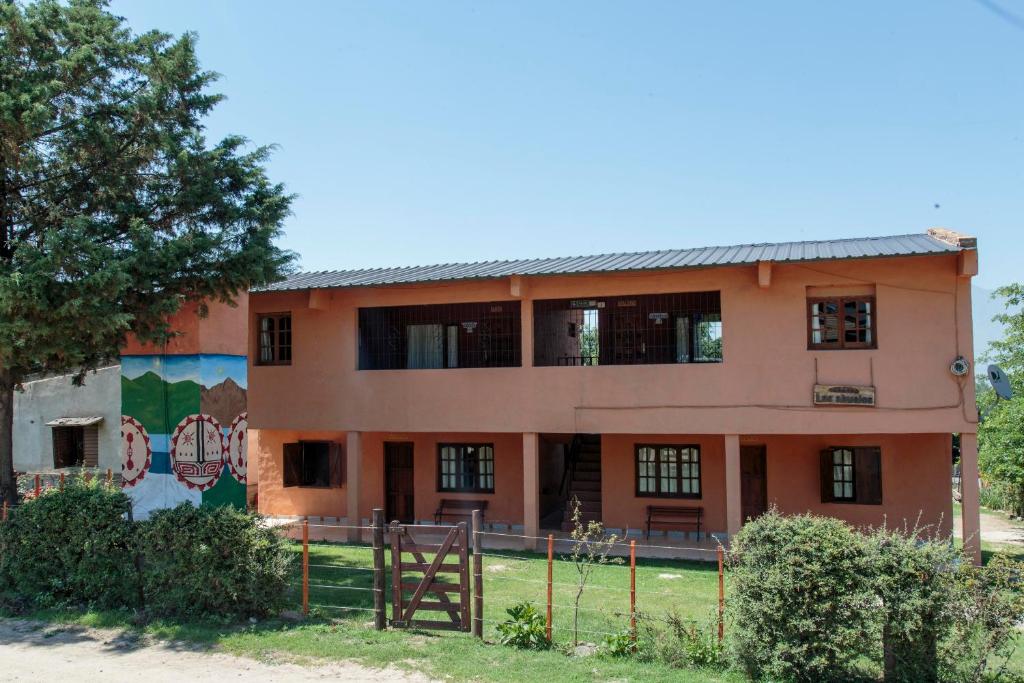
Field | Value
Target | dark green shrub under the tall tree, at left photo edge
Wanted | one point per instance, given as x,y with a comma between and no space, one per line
71,547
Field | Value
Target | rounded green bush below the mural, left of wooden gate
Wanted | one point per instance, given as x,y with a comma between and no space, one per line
212,562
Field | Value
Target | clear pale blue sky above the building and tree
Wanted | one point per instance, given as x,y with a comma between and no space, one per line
422,133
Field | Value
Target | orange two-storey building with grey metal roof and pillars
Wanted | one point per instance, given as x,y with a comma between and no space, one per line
815,376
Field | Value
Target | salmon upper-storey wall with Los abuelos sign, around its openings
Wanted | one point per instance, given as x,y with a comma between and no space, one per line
763,387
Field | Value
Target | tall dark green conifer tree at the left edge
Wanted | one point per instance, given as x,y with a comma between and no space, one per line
114,207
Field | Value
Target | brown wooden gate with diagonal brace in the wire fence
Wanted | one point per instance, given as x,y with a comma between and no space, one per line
454,547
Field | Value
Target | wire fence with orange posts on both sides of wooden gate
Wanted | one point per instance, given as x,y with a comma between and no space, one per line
342,578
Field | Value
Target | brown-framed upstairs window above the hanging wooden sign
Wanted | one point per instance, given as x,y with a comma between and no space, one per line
837,323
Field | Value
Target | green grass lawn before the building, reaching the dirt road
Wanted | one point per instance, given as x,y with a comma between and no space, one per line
689,588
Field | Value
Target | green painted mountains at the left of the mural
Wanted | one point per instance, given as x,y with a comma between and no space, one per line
159,405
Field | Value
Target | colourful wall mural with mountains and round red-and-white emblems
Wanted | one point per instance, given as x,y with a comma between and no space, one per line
183,437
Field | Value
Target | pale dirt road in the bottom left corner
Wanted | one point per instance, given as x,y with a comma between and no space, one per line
31,652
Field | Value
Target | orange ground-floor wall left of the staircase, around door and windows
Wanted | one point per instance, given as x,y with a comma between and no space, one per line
504,506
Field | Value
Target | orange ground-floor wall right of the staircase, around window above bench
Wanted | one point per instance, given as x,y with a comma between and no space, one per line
622,508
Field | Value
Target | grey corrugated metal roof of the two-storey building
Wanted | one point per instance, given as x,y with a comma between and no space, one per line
783,252
